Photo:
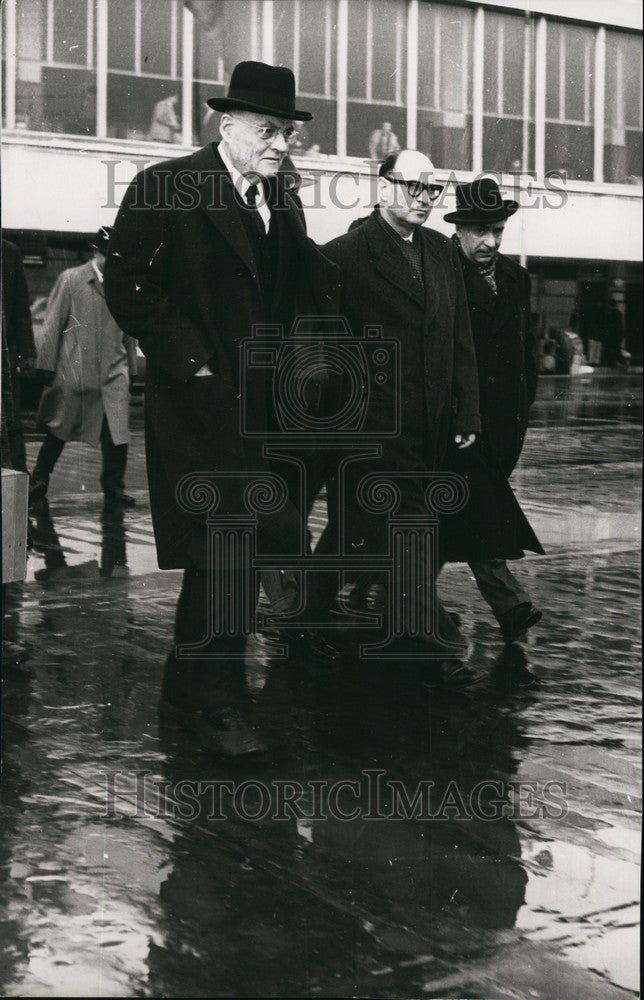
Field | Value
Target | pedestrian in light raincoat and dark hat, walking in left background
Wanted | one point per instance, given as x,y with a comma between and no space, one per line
90,364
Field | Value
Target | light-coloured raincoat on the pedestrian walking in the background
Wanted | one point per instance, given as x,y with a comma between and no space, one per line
86,349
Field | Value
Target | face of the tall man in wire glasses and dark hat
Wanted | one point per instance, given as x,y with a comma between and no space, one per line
257,143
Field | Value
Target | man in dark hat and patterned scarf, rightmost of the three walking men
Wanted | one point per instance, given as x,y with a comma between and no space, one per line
492,528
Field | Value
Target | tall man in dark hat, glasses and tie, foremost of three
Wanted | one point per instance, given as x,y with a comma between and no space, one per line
207,247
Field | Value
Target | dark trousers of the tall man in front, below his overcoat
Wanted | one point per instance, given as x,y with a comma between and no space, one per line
213,681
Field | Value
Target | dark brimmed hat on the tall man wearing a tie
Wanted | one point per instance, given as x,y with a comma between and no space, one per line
266,89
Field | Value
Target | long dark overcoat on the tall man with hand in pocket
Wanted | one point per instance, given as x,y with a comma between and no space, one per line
181,278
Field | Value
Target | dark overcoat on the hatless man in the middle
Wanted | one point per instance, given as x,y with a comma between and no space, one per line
437,385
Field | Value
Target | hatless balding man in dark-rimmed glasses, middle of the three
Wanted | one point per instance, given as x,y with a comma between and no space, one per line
401,277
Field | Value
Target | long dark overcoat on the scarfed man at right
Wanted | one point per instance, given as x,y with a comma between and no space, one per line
493,525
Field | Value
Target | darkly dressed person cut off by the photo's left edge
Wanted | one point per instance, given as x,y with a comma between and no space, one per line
20,357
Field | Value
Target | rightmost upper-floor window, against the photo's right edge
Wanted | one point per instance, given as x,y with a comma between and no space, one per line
623,109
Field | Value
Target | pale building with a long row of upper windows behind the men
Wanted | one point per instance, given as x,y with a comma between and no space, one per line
547,95
